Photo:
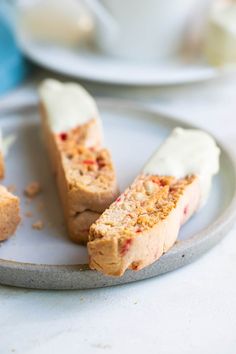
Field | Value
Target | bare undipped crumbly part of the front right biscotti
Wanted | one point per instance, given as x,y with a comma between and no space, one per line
142,223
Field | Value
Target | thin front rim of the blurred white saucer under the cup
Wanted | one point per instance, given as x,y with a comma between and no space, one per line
209,72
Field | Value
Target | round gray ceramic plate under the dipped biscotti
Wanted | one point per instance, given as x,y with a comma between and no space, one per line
47,259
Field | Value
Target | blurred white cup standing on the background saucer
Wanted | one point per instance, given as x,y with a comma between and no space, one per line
141,29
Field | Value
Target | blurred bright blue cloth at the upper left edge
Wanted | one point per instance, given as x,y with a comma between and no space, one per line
13,66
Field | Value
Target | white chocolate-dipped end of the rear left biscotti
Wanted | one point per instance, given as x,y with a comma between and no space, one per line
68,106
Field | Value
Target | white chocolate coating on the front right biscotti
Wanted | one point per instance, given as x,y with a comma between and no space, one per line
186,152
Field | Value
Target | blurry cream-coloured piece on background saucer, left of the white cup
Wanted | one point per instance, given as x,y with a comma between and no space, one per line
66,21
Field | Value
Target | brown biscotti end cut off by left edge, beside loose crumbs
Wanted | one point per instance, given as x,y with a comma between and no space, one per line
9,213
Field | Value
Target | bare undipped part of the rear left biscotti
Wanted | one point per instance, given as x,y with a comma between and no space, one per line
90,181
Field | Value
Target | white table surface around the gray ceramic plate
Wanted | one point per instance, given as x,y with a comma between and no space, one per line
191,310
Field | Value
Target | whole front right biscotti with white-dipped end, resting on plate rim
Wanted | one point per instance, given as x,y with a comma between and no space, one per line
145,220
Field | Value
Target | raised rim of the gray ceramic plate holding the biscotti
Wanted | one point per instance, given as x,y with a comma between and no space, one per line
221,224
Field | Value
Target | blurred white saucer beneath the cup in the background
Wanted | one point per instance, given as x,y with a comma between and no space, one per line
85,62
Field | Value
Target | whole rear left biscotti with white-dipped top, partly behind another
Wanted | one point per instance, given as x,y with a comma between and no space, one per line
84,170
